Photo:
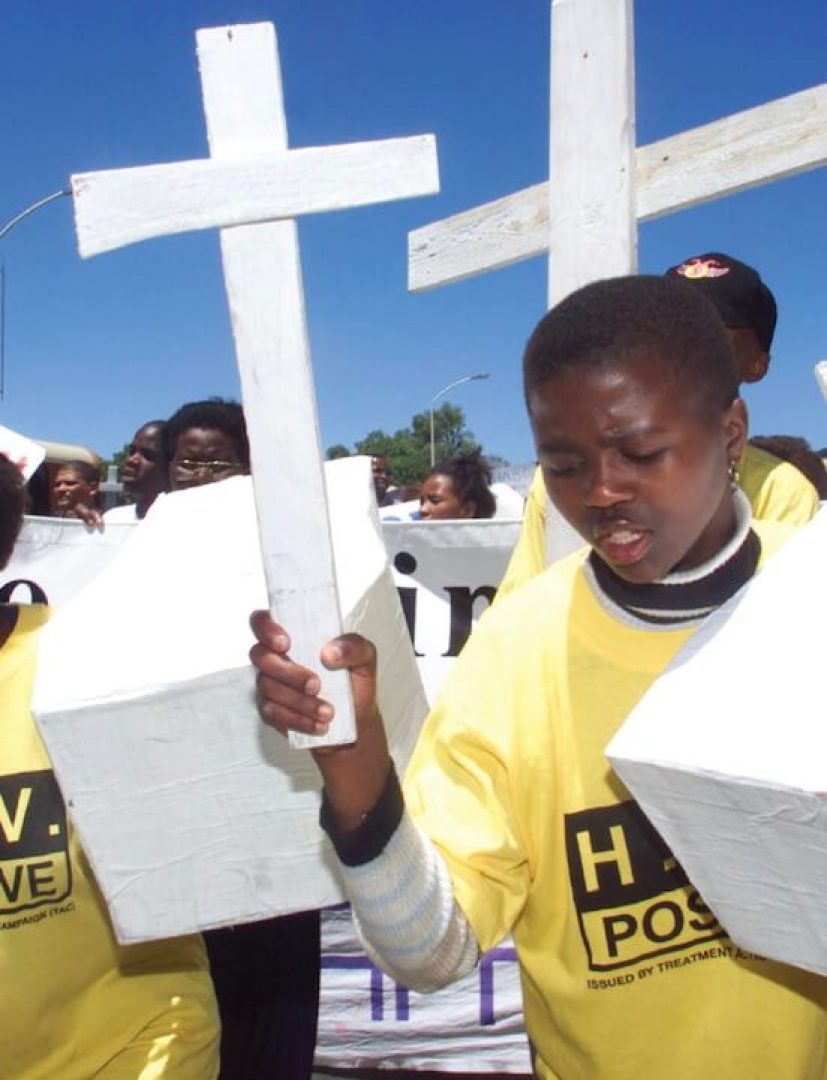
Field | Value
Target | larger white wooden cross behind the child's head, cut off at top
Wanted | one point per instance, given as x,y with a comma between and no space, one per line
586,219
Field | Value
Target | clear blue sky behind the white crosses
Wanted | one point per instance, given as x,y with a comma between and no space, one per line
94,348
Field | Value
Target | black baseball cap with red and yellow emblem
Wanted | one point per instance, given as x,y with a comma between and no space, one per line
736,290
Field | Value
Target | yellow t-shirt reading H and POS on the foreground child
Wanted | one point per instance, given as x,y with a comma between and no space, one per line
627,975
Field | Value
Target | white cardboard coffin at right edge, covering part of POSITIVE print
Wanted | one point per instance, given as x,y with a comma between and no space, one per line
727,754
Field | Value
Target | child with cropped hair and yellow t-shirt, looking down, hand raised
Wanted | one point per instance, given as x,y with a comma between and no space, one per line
512,820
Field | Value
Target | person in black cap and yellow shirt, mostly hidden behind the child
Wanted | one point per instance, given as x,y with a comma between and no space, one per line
777,491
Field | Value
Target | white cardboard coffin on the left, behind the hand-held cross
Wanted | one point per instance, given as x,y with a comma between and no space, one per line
193,813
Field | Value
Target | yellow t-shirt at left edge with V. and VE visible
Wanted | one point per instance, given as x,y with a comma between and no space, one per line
74,1004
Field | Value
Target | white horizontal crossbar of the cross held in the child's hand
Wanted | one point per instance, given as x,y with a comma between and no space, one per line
124,207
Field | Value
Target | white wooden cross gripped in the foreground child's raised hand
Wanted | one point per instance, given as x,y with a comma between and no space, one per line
251,188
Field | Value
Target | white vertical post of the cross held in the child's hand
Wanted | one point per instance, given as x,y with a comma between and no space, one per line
263,277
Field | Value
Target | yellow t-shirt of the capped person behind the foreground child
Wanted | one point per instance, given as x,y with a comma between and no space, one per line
778,492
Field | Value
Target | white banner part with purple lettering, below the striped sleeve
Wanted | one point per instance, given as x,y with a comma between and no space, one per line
367,1021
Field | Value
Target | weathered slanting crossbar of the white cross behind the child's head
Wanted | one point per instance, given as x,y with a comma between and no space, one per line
744,151
